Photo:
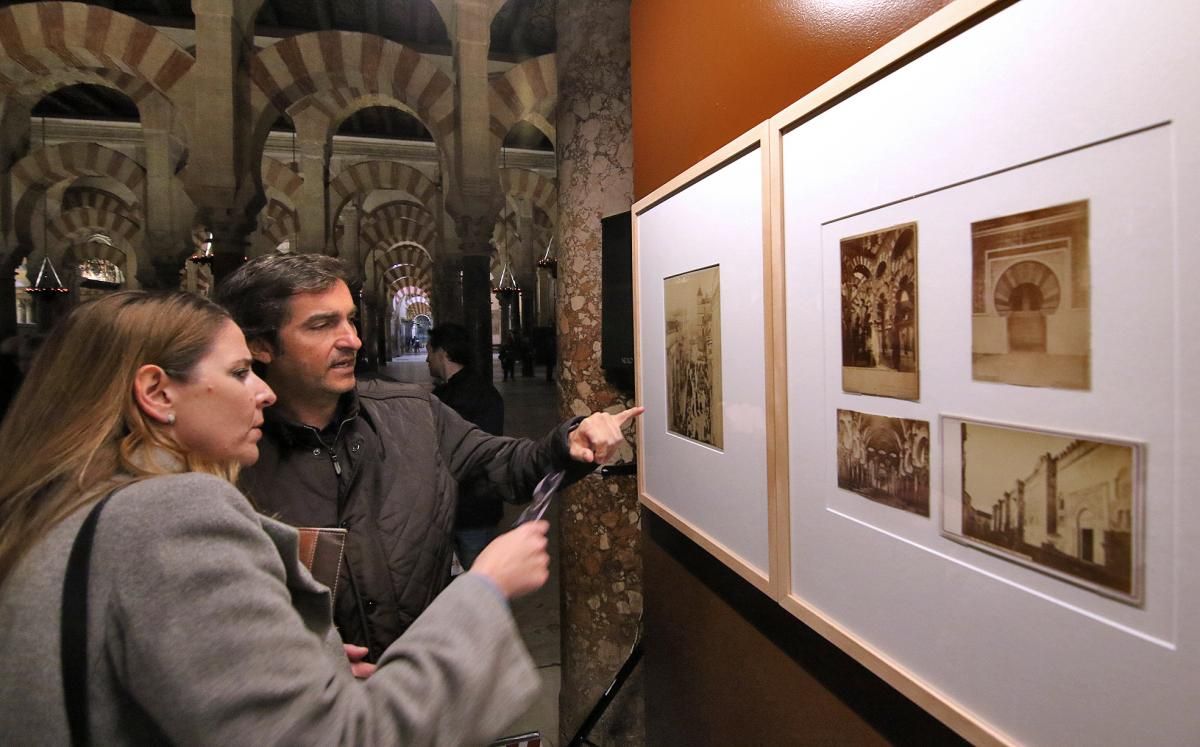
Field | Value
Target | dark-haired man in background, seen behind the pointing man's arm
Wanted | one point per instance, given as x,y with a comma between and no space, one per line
477,401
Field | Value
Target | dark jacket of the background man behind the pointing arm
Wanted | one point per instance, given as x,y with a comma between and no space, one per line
477,401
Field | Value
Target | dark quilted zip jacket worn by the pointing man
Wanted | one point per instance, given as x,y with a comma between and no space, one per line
388,470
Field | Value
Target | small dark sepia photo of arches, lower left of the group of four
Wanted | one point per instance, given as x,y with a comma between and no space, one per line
885,459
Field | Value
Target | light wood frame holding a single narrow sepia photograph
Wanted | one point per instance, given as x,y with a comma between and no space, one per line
704,367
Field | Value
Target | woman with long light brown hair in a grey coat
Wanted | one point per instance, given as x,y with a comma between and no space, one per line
202,625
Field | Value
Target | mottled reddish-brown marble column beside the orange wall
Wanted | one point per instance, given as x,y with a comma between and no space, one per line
602,567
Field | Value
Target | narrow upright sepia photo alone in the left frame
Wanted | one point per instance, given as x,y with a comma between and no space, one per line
694,356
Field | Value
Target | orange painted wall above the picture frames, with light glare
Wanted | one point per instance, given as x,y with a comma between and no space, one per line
705,71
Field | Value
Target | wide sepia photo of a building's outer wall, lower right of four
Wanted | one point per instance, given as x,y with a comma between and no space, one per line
1064,505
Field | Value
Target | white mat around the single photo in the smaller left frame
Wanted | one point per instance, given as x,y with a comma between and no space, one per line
713,222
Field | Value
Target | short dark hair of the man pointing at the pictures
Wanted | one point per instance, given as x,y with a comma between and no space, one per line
257,294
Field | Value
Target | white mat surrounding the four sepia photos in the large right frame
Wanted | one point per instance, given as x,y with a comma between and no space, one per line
994,123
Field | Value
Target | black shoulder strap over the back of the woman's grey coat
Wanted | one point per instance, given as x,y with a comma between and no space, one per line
74,653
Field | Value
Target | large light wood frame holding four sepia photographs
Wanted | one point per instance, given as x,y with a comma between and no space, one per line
1054,255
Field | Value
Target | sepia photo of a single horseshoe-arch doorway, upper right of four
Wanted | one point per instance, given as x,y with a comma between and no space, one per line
1031,298
